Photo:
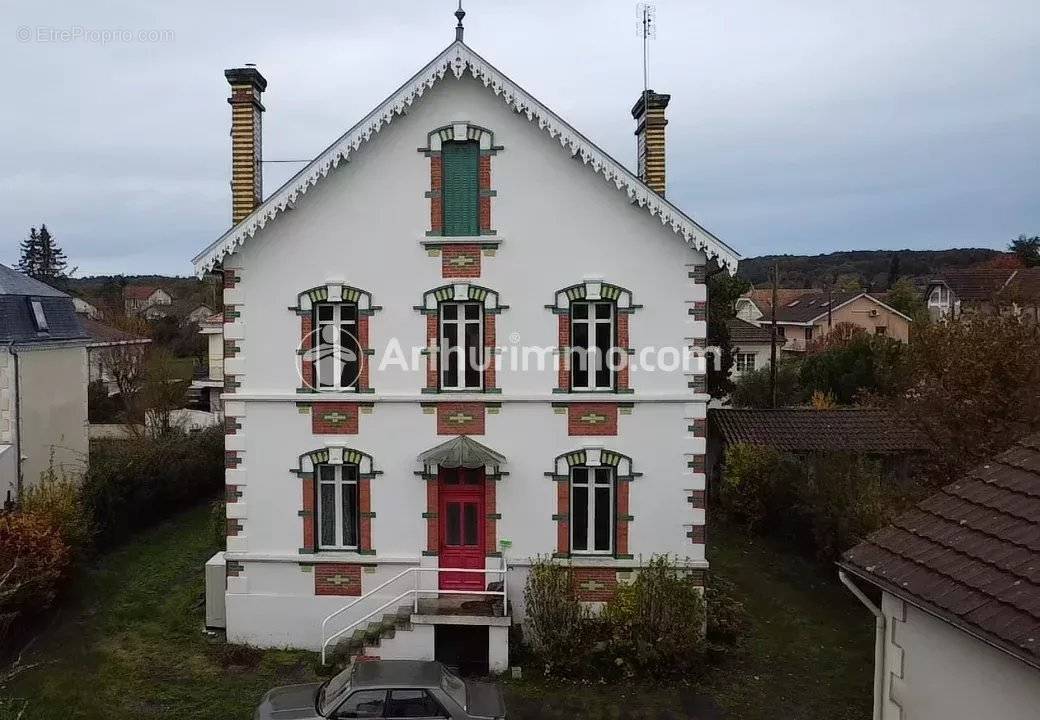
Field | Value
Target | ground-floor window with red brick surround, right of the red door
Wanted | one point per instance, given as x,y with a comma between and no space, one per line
589,482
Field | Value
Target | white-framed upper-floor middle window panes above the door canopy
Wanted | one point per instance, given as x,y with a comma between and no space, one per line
462,346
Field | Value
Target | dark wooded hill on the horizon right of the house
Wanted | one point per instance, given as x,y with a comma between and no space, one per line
873,269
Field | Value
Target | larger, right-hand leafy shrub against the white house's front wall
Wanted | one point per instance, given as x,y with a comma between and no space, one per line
658,622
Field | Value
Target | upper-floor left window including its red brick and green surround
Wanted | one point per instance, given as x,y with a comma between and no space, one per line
334,350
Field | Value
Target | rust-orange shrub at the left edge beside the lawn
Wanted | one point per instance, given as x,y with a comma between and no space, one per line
34,561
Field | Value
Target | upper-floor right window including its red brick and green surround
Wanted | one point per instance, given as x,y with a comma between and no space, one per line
593,339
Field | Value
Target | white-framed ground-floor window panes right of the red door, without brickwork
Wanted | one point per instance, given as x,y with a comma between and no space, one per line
592,510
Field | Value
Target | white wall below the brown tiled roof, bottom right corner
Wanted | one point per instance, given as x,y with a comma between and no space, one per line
935,672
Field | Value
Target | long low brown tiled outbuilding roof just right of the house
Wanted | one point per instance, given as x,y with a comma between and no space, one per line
802,430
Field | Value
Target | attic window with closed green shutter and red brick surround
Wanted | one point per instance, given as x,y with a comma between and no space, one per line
443,186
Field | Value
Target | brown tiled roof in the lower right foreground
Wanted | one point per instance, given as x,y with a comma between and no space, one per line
971,554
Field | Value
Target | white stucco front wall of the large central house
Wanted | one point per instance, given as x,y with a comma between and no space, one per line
557,224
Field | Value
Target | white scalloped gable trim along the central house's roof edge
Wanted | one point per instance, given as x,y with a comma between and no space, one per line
458,59
